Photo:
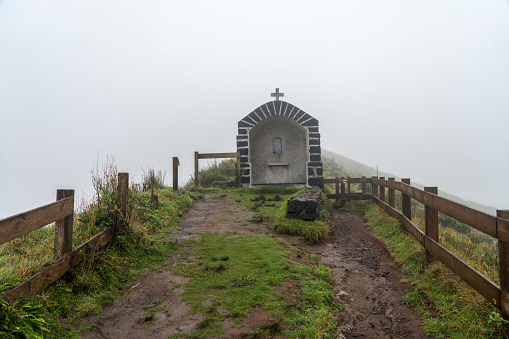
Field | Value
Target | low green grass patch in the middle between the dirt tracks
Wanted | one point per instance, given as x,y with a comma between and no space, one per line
238,274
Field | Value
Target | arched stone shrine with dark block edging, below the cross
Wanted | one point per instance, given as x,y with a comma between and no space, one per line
279,144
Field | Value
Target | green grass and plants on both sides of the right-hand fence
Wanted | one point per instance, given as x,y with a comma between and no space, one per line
449,306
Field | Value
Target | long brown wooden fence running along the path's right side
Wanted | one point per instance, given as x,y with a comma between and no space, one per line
495,226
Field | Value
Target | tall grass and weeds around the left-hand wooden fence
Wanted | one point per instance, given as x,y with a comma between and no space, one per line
101,274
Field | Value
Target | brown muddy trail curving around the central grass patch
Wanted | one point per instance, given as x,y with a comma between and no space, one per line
366,283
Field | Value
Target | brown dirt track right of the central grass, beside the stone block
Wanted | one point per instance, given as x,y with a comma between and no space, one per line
366,282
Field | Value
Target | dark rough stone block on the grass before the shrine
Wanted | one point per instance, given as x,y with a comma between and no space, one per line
306,205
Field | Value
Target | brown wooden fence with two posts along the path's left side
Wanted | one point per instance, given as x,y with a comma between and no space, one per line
61,212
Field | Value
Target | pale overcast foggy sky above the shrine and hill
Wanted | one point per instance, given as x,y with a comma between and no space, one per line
419,88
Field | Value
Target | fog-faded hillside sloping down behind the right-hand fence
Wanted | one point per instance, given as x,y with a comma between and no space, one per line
355,168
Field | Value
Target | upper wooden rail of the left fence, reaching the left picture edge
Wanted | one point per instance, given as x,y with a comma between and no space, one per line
20,224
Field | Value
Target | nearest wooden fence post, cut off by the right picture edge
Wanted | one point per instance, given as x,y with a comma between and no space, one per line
503,255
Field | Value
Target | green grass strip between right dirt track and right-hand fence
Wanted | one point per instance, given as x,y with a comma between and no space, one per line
449,307
